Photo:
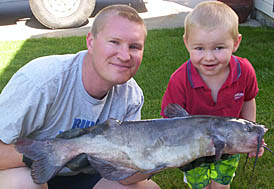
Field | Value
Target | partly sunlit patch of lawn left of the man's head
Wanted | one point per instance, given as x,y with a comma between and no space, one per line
16,54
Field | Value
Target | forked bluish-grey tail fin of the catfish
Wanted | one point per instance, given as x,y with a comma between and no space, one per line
42,169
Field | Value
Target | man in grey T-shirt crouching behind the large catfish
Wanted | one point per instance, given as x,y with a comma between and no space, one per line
56,93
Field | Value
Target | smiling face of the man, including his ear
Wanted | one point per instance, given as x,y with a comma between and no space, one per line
117,50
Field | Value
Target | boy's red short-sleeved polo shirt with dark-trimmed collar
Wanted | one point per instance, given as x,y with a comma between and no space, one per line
187,88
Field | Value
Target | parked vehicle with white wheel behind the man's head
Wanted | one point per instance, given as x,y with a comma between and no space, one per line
58,14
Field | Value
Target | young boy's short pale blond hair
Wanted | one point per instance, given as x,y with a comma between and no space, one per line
212,14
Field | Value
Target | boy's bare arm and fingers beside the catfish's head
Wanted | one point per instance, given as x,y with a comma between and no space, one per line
249,112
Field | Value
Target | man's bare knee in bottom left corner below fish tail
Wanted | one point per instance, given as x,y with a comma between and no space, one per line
18,178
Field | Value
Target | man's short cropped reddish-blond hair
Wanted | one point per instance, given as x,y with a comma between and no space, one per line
106,13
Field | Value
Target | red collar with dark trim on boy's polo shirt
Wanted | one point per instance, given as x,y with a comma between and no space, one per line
196,80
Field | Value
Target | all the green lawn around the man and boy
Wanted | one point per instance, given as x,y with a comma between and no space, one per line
164,53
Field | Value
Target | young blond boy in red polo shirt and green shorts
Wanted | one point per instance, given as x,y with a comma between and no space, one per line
213,82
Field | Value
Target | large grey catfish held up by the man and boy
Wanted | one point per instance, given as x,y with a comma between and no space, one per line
119,150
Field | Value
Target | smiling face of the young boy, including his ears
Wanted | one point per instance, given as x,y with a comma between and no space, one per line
210,50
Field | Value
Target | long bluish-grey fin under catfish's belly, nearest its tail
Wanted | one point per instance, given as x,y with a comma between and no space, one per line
109,170
